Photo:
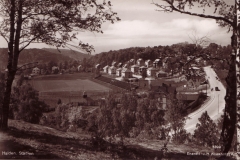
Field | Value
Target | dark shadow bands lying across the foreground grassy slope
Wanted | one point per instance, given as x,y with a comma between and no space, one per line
93,145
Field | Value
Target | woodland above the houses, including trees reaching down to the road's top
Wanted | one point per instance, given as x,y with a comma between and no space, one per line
182,50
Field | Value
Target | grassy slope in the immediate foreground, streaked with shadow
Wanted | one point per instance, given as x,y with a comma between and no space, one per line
49,143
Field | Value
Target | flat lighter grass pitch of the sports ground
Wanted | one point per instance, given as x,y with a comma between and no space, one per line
68,85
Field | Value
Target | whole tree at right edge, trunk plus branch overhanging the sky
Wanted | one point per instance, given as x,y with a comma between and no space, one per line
225,16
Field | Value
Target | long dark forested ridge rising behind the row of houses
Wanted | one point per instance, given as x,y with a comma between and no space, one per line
175,50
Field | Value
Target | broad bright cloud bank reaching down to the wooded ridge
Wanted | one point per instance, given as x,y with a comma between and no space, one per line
144,33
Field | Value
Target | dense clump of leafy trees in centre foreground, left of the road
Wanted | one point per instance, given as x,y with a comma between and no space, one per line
128,117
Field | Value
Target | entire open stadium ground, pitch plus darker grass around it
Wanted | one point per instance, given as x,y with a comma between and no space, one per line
67,87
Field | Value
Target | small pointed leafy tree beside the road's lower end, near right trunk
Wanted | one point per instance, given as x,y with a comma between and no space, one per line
206,132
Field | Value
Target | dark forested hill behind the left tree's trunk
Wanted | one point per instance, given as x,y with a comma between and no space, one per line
33,55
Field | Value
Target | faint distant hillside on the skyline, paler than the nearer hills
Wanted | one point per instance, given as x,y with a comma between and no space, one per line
70,53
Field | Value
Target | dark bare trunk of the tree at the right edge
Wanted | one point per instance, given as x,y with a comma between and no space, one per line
229,121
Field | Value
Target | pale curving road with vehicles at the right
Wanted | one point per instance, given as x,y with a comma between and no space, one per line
215,104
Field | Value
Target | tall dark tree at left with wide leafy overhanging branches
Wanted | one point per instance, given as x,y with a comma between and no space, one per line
53,22
